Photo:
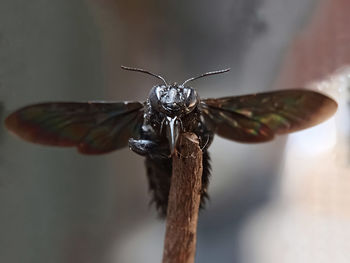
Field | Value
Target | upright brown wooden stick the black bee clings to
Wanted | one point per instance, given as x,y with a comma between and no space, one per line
184,200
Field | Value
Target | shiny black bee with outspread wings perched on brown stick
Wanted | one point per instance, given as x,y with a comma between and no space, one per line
152,128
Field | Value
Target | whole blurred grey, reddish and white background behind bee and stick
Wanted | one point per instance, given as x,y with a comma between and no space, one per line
283,201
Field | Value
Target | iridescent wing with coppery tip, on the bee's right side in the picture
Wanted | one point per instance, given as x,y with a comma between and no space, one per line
257,117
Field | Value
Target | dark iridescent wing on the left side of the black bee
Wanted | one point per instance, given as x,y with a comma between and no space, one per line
93,127
